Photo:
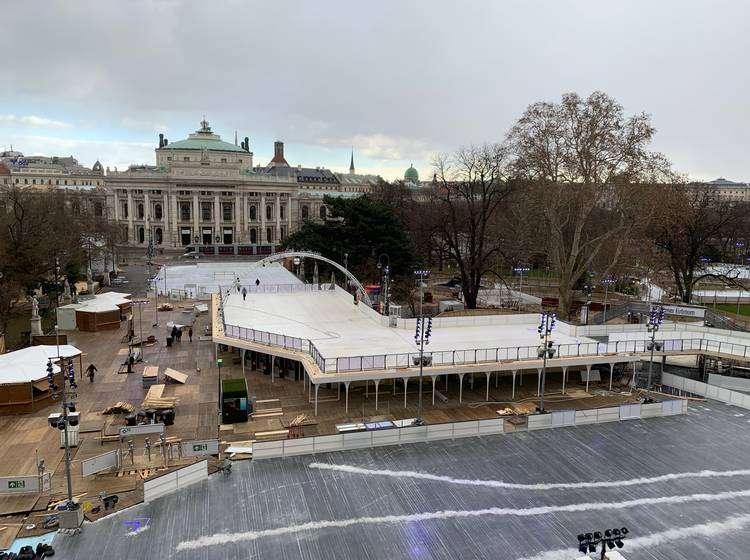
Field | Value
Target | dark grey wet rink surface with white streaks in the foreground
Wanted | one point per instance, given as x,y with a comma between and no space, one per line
486,502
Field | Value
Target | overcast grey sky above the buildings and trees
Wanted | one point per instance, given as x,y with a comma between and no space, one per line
397,80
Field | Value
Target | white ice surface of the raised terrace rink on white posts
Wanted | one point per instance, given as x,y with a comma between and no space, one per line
338,328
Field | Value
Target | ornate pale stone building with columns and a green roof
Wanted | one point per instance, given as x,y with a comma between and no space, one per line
207,192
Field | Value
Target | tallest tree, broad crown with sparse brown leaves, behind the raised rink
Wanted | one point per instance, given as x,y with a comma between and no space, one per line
588,168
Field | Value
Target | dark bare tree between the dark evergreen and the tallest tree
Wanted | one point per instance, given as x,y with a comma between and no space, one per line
470,187
